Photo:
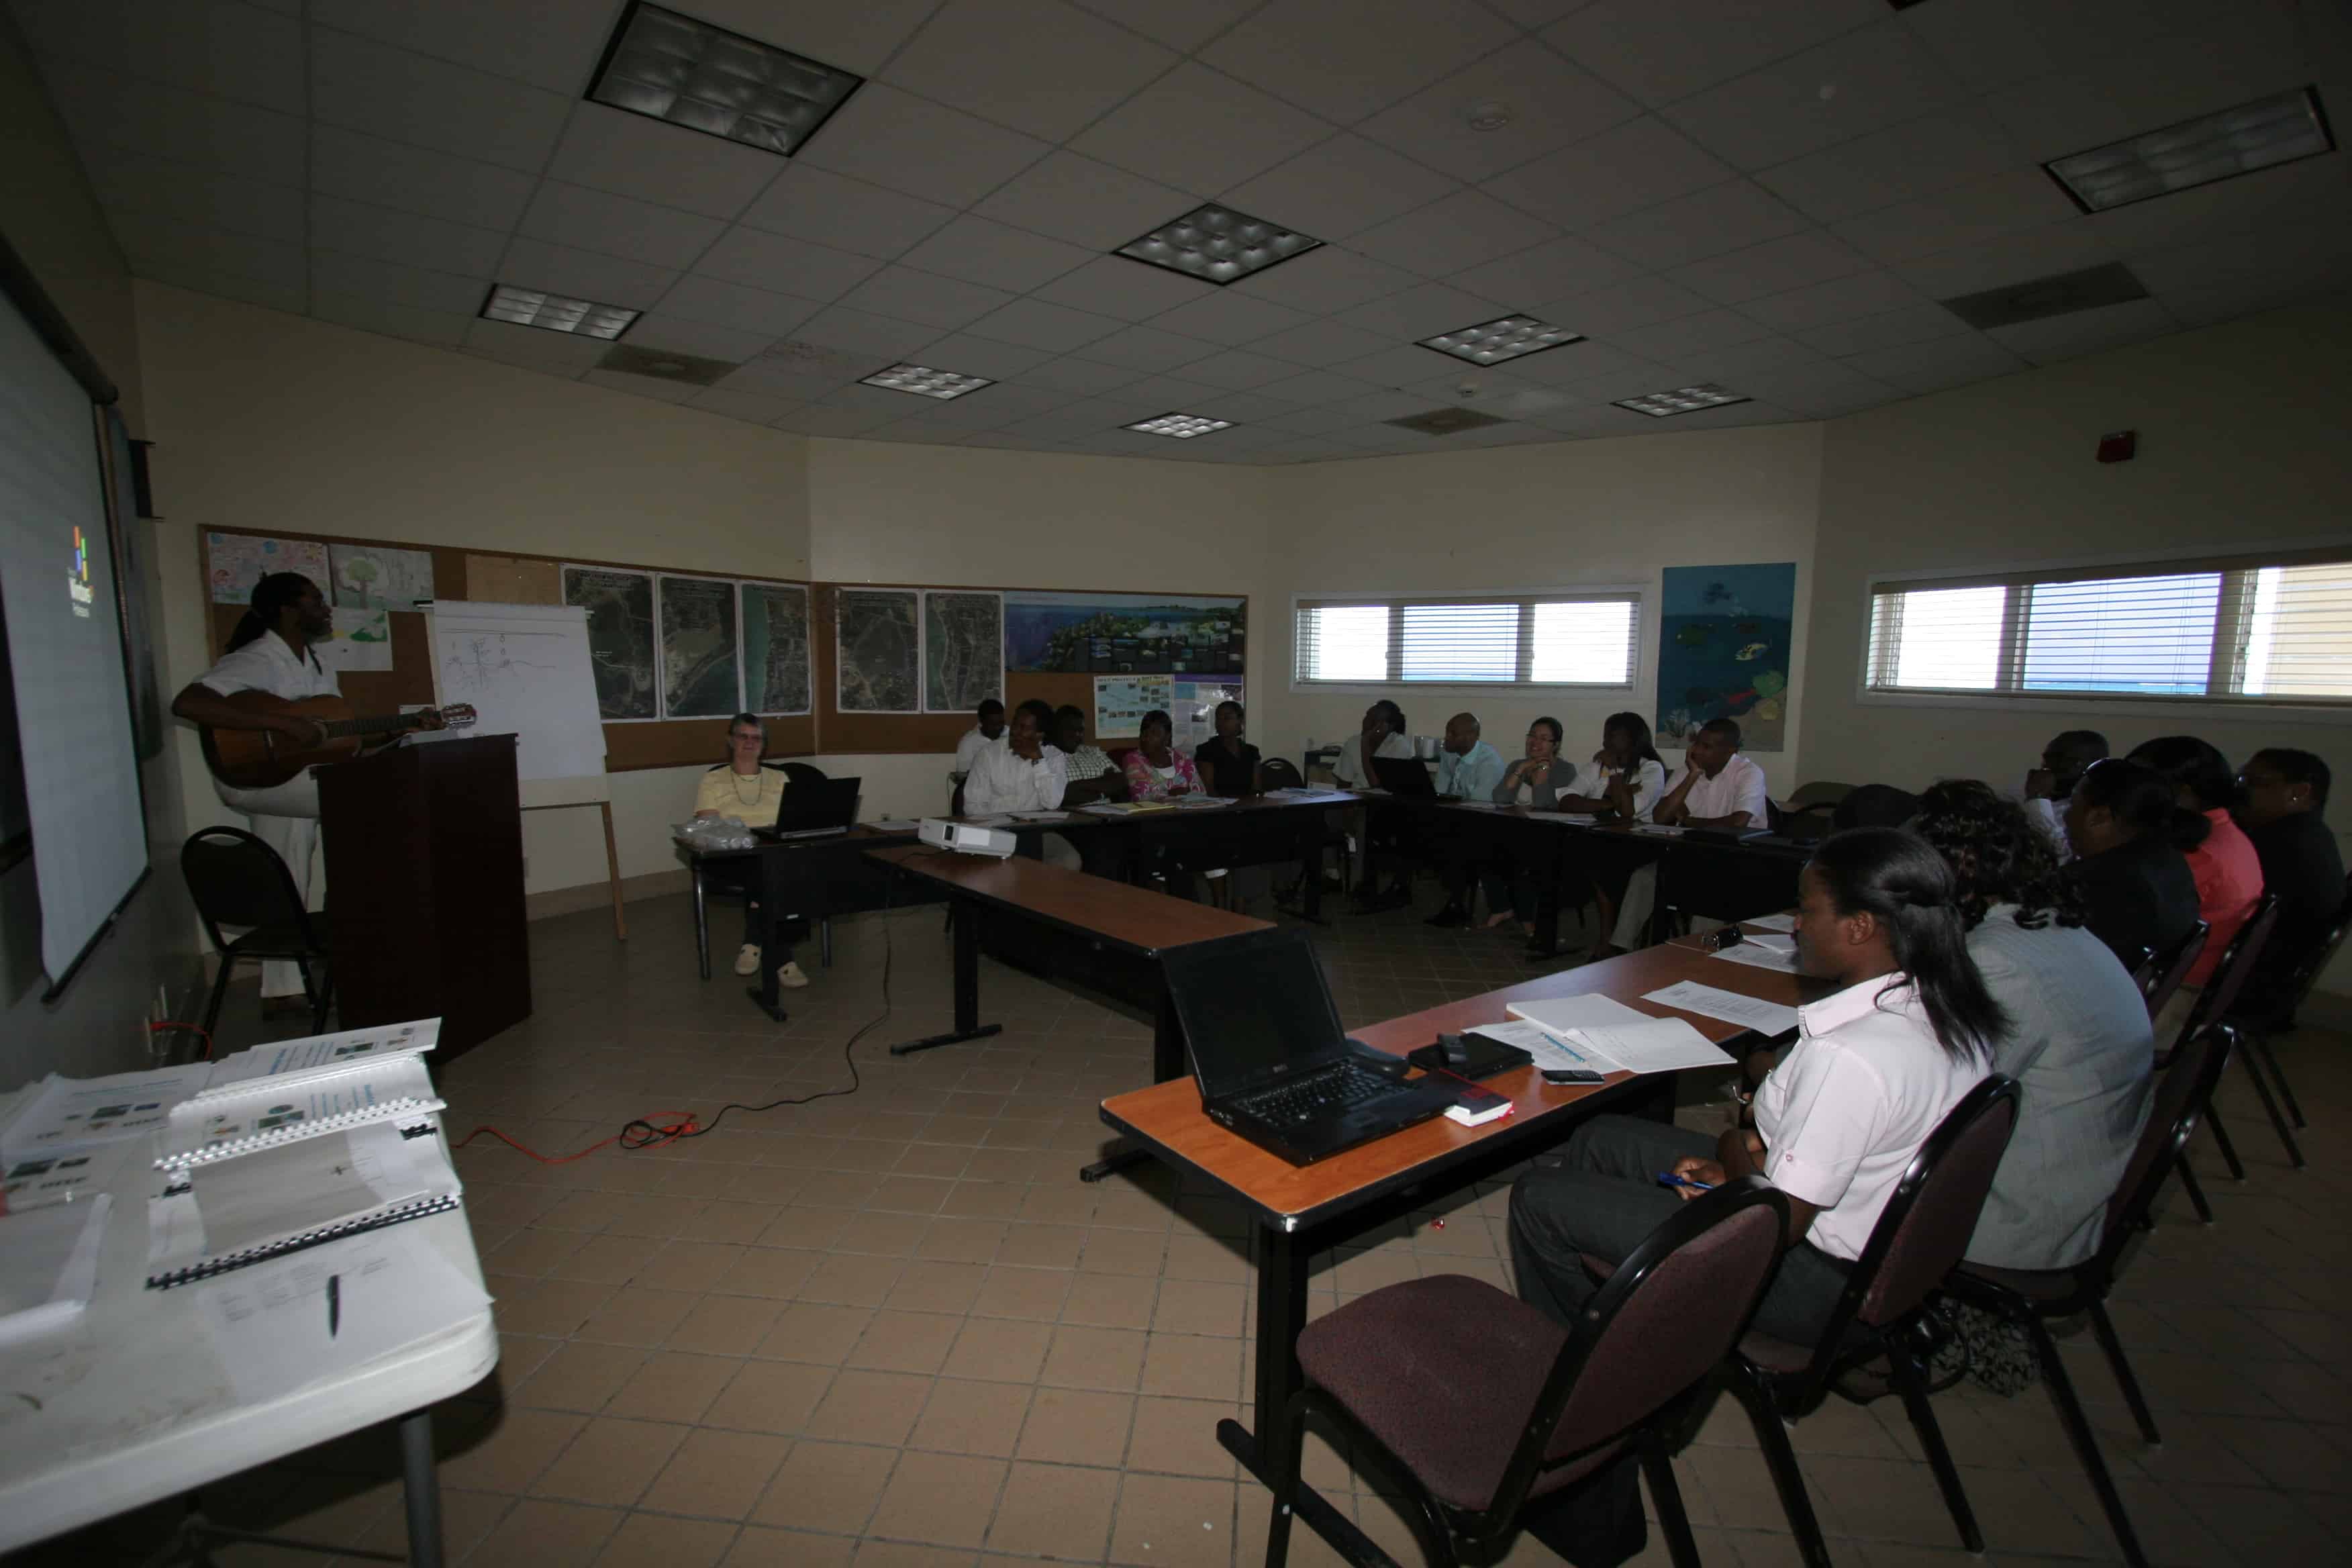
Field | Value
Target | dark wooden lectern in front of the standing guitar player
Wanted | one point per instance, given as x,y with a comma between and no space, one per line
425,887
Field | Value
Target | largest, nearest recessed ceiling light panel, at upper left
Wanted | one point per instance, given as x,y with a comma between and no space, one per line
707,79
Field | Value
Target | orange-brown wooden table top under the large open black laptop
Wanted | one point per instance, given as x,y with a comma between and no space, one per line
1172,1123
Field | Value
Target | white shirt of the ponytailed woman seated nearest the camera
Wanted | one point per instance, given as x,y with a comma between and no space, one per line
1852,1104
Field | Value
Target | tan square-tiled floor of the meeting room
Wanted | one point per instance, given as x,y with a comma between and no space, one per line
895,1332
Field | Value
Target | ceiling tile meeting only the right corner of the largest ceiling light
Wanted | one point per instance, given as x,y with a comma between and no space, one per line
1034,65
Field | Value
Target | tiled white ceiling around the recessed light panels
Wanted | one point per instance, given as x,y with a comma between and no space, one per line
1768,194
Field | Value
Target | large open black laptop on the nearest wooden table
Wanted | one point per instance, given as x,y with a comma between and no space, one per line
1271,1059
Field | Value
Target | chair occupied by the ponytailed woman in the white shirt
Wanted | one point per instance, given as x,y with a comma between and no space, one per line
1918,1240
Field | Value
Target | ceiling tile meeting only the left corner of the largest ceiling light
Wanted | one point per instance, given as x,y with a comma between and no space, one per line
389,93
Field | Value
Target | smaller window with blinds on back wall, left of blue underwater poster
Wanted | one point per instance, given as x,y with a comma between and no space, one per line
1471,641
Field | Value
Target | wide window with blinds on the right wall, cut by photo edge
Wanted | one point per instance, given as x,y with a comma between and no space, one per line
2240,631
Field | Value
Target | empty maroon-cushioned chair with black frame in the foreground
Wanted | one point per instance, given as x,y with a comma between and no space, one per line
1443,1381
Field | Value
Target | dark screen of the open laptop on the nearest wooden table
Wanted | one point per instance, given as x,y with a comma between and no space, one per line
1252,1007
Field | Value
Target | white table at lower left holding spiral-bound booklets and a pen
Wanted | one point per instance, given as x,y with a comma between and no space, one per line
135,1407
